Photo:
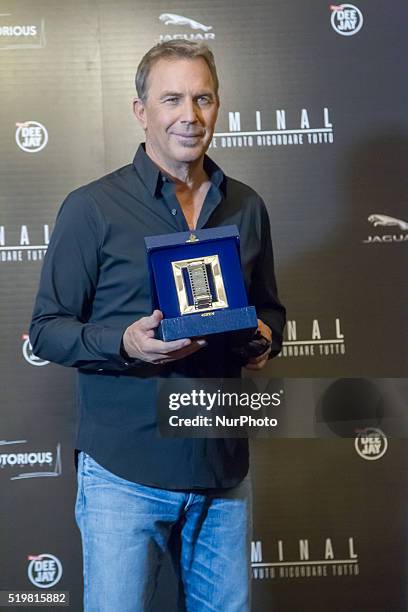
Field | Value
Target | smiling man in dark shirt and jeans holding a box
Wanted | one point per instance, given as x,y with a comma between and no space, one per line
140,495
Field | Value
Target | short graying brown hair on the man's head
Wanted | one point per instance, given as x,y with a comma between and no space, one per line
173,49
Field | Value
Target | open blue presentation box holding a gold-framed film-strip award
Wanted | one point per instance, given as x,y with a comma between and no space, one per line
198,285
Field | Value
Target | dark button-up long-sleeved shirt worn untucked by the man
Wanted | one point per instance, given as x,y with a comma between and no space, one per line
95,283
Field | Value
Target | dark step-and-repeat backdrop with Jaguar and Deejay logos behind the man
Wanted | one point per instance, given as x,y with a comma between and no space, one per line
314,117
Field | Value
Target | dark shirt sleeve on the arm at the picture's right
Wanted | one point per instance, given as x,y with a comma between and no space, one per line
263,291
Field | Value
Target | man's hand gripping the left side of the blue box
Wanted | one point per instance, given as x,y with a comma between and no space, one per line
139,342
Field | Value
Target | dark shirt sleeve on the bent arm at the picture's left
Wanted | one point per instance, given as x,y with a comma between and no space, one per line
60,331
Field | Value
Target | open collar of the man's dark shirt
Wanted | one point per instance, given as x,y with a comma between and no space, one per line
152,176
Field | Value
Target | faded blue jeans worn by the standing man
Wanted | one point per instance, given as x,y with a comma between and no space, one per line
127,527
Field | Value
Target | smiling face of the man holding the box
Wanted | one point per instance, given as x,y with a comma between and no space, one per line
180,112
